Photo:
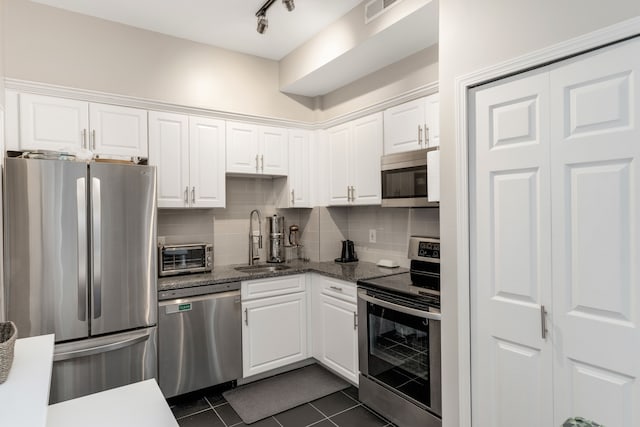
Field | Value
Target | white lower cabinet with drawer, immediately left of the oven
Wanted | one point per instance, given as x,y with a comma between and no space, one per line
335,327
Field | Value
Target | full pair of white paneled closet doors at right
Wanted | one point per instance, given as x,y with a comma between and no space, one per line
555,191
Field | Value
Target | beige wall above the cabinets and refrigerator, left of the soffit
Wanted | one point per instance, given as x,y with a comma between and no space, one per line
55,46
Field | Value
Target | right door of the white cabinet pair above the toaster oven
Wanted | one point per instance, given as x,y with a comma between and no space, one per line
207,162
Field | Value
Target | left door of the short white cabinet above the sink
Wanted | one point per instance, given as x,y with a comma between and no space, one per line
242,148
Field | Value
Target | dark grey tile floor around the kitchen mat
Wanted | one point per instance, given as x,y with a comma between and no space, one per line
342,409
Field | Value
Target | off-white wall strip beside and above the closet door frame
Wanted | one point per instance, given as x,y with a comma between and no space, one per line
475,35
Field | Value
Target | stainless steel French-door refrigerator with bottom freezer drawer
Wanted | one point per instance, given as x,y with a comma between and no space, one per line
80,262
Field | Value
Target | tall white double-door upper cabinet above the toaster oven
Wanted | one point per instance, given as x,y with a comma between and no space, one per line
189,153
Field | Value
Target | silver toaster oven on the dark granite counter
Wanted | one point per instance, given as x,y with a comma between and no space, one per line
184,259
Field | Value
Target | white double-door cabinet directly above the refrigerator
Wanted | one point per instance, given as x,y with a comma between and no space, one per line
50,123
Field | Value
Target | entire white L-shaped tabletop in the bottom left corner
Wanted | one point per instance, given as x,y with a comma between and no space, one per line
24,397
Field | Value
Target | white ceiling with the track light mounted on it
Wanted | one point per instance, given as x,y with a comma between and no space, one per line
230,24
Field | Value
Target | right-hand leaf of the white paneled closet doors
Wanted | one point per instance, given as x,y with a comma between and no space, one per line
596,238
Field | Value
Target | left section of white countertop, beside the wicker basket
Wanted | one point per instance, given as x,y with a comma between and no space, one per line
24,397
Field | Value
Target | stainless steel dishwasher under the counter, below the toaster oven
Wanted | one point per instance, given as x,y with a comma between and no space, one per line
200,337
